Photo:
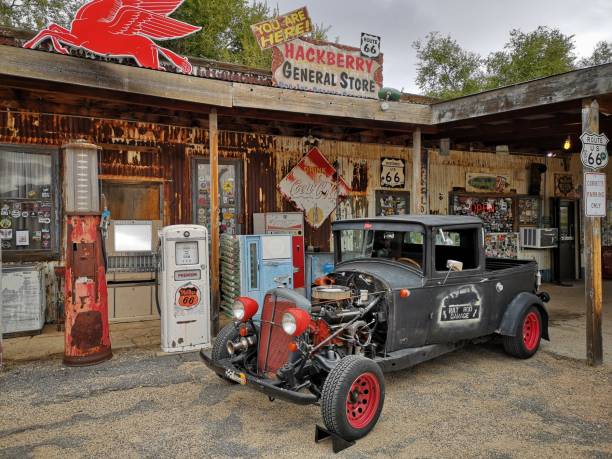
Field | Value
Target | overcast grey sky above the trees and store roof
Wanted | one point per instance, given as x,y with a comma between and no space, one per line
478,25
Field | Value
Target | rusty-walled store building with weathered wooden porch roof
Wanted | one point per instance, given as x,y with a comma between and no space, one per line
155,131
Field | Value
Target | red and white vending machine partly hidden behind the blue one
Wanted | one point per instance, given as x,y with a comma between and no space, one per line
286,223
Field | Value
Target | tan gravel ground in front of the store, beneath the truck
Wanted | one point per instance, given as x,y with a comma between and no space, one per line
475,402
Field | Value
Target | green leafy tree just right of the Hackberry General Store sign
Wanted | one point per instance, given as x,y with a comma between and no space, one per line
445,70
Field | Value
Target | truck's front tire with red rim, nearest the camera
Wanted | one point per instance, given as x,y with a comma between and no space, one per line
353,396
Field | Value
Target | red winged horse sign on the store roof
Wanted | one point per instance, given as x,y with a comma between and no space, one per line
122,28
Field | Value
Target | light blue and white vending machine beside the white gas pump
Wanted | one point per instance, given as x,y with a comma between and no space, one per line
253,264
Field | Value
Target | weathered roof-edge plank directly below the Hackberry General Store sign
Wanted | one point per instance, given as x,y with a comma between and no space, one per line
251,96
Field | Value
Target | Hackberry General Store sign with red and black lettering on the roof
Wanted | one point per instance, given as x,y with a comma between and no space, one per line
326,67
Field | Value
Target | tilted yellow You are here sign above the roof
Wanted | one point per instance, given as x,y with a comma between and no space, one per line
282,29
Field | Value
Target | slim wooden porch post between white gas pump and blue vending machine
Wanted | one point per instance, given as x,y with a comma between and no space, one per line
214,218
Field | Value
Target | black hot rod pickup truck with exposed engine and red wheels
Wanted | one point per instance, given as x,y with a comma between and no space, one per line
405,289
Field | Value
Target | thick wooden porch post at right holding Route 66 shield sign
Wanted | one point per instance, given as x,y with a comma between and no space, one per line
592,255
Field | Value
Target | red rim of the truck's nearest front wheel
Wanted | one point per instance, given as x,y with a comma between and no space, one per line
362,400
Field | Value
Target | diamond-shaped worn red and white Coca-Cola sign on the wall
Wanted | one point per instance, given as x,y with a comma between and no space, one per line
315,187
